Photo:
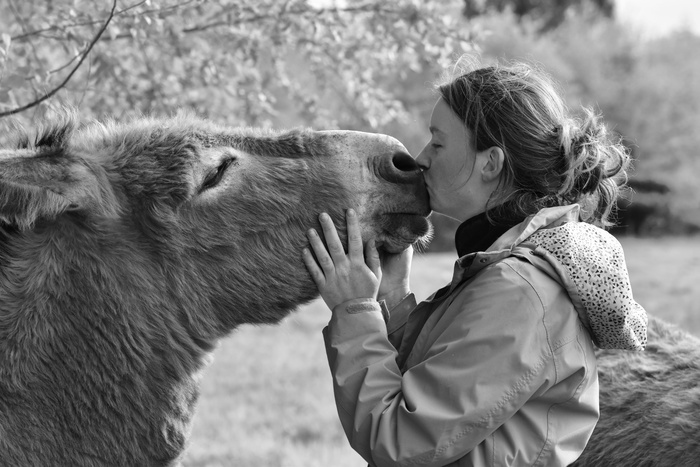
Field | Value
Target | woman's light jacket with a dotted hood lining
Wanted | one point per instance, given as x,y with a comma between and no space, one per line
498,367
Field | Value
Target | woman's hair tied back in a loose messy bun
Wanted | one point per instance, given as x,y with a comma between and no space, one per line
551,157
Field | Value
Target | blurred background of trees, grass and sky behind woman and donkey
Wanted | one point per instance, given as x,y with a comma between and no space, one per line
369,65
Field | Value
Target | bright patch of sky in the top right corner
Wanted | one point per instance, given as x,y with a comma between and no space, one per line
655,18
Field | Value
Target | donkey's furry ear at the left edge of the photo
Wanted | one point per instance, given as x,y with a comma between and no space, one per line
42,183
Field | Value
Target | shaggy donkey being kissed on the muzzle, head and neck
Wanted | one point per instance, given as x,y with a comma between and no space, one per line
127,250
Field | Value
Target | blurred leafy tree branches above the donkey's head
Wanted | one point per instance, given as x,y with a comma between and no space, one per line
245,62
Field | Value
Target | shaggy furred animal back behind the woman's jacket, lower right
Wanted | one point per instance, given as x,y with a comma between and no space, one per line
649,404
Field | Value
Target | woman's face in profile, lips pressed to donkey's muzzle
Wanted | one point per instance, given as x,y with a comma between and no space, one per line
449,162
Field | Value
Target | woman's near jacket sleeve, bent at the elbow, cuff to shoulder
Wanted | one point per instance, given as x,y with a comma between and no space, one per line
488,358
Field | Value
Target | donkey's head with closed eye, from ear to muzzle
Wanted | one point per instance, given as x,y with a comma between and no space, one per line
221,212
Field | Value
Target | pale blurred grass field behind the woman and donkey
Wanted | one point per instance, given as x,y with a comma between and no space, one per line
267,399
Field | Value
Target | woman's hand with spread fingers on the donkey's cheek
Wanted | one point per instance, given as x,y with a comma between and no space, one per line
339,276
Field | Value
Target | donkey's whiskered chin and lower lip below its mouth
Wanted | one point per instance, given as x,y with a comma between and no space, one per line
402,230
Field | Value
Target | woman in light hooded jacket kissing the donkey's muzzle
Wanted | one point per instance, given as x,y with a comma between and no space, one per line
498,367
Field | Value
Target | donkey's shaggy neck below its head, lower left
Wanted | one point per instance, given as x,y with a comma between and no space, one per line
108,338
